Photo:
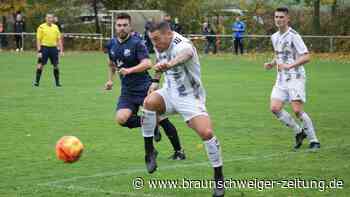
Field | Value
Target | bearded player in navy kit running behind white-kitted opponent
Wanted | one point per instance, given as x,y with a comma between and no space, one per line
129,57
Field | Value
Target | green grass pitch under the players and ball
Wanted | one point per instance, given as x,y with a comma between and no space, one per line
255,145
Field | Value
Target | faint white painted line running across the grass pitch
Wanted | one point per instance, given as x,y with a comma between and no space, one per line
142,170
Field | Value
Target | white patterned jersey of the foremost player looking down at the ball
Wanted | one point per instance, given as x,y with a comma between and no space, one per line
183,79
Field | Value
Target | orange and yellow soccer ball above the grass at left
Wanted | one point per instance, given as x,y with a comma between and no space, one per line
69,149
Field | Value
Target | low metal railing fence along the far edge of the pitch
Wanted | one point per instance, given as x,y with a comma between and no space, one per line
252,43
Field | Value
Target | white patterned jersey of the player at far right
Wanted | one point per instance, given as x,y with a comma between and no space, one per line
288,47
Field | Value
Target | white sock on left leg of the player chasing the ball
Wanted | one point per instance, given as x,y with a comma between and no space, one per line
148,123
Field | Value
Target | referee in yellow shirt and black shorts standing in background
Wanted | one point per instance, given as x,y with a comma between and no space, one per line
49,45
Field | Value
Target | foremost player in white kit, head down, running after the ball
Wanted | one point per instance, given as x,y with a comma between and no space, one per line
182,93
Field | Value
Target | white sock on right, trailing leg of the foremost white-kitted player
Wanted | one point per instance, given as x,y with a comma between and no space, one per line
214,152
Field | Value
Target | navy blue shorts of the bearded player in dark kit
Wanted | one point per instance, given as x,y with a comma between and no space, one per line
130,102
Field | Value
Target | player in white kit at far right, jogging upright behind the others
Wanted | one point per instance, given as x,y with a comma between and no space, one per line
290,56
